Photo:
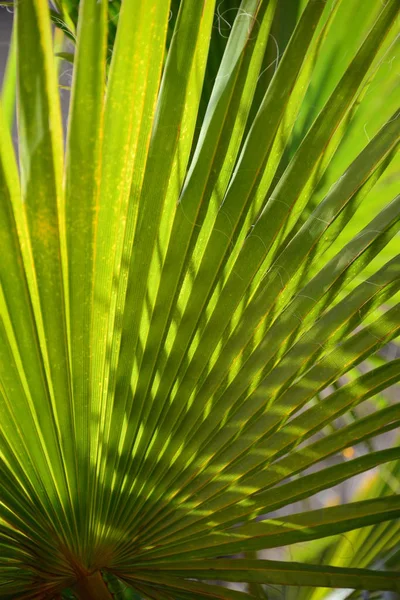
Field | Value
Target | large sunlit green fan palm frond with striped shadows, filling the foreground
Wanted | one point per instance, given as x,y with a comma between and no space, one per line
175,296
